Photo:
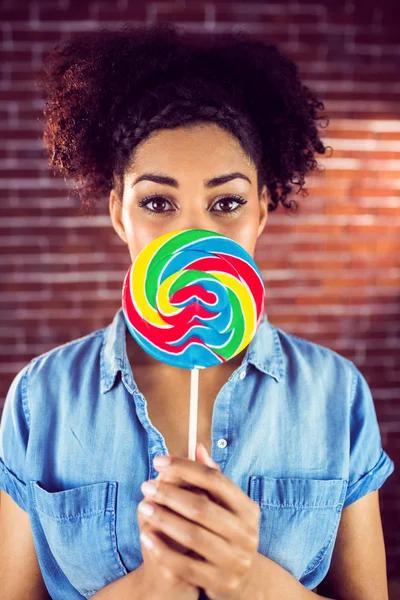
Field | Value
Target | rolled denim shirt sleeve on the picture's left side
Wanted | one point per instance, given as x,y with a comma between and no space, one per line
14,433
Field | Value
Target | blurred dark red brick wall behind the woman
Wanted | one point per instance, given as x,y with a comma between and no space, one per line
332,271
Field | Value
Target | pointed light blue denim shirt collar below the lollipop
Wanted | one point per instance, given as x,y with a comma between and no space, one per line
264,352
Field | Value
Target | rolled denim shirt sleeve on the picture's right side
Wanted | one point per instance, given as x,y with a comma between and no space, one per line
370,466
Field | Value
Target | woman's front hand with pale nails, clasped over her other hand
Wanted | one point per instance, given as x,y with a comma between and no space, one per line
206,513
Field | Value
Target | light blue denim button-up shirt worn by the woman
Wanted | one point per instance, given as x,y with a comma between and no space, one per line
294,427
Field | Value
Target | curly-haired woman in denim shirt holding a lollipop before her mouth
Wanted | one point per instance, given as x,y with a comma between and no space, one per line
180,132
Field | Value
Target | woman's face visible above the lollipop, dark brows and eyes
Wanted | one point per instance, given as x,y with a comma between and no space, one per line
191,156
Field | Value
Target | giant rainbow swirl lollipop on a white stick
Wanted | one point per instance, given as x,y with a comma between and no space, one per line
193,299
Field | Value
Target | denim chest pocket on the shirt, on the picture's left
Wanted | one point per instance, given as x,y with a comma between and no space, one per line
80,527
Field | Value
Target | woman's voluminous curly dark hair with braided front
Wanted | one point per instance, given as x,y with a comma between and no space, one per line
107,90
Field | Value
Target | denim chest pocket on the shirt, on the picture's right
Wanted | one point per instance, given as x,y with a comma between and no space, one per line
299,519
